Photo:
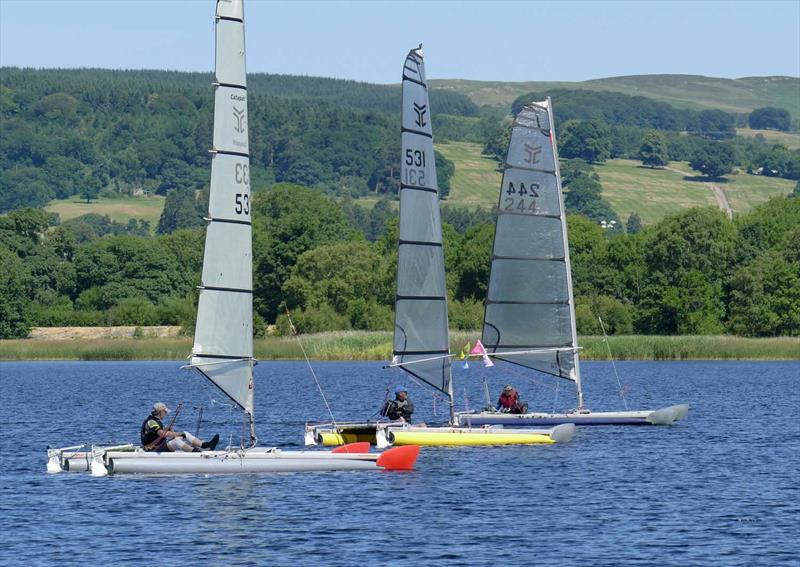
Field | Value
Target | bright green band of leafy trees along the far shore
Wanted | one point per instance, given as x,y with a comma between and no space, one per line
696,272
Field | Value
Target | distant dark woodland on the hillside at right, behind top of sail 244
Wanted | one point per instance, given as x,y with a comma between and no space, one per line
597,126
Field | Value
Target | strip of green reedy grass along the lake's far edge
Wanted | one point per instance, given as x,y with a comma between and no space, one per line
354,345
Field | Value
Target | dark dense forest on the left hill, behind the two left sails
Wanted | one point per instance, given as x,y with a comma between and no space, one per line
80,132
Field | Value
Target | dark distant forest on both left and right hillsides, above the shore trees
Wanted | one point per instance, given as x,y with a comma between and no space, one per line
90,131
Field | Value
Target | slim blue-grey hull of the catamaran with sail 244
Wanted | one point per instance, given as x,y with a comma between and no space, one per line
664,416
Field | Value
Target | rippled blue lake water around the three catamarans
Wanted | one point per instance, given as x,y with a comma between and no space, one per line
719,488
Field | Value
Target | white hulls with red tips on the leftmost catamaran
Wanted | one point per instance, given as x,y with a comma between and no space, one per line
129,459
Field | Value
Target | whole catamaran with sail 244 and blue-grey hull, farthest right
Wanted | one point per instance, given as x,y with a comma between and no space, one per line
529,318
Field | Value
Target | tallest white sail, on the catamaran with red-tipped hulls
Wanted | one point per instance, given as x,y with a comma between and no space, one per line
223,340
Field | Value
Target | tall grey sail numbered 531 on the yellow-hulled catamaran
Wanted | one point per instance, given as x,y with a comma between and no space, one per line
421,344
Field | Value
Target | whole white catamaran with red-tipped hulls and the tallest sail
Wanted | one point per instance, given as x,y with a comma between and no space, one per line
223,341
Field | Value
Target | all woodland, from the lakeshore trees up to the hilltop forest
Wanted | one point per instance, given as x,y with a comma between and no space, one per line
317,145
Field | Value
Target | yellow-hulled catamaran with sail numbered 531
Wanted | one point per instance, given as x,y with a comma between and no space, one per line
421,345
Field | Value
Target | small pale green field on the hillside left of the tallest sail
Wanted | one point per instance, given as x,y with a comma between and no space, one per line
120,209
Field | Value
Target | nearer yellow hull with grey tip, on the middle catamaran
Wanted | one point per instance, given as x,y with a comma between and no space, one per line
471,437
